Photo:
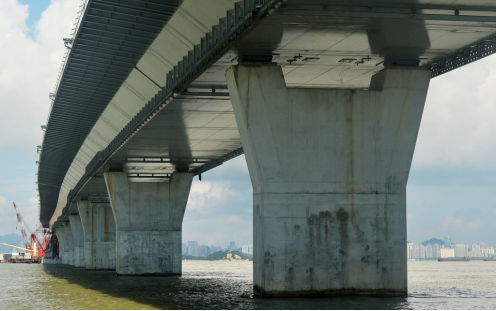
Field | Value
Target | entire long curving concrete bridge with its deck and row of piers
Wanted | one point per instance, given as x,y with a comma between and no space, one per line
324,98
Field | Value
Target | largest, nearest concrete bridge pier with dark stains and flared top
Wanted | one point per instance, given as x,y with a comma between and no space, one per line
329,170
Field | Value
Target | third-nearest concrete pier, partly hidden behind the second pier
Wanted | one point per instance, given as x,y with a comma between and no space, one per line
99,235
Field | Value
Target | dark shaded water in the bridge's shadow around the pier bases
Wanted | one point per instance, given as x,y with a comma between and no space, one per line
197,290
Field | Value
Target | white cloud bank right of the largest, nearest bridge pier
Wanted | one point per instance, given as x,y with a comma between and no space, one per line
459,122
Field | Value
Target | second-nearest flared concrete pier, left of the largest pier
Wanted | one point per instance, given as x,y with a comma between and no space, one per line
148,220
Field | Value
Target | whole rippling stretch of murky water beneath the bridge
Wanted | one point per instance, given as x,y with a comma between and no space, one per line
225,285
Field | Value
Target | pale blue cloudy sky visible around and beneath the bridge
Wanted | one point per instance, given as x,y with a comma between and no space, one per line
451,189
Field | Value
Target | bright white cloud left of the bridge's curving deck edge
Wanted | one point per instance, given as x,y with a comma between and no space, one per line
29,69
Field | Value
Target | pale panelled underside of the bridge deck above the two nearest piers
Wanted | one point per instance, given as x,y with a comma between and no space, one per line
319,44
